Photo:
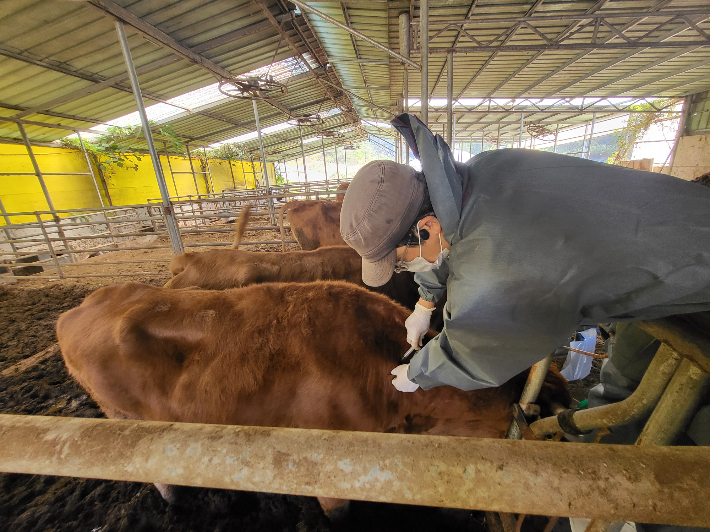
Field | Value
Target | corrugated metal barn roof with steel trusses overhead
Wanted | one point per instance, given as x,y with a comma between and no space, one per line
57,59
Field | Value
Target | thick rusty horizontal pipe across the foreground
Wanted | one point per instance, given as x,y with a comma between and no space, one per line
650,484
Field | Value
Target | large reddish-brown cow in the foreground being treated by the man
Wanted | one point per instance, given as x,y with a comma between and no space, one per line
314,355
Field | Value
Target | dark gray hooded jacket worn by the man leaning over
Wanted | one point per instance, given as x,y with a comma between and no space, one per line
543,243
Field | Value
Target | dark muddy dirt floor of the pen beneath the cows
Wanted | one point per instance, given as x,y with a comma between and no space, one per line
28,313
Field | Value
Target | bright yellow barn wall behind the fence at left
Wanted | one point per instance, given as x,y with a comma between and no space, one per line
127,186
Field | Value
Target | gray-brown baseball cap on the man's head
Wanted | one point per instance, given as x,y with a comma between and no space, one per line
380,206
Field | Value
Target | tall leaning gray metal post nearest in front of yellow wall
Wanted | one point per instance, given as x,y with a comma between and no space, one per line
170,223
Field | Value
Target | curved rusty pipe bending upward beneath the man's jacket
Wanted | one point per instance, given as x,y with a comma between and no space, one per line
645,397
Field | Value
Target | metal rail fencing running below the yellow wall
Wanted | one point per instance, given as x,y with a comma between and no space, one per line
58,241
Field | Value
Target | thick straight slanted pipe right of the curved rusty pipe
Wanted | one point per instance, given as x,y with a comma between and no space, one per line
677,406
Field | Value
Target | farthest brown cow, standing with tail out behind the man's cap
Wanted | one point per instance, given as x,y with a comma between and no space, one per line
314,223
